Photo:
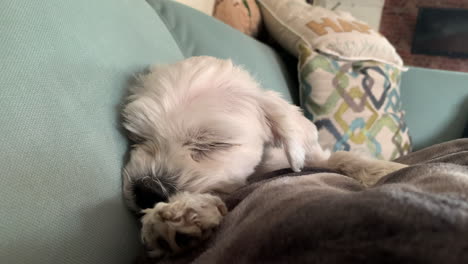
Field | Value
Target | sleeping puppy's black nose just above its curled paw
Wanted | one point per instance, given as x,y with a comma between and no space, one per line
149,191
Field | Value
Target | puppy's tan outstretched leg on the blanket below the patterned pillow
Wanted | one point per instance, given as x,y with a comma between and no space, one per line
368,171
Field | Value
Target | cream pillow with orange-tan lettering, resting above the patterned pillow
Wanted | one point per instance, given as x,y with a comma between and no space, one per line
292,22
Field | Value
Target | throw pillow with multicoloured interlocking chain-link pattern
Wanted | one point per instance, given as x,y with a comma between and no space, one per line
355,105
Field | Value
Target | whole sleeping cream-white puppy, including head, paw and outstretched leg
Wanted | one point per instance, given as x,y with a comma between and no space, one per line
201,127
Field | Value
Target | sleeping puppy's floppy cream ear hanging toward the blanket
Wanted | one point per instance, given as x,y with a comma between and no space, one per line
290,129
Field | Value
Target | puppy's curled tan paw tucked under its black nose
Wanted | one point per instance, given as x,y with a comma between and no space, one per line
181,224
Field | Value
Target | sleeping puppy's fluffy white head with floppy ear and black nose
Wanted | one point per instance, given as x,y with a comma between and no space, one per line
202,125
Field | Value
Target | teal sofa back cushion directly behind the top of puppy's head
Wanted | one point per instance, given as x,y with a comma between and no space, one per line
198,34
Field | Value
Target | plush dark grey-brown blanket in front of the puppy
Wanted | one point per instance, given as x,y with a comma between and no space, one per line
416,215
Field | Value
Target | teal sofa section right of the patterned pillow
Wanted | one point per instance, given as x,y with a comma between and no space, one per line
436,104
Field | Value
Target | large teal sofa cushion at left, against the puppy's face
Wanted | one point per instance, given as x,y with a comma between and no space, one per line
65,66
